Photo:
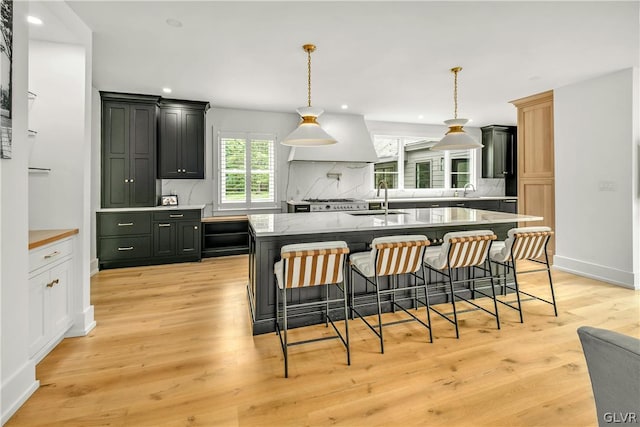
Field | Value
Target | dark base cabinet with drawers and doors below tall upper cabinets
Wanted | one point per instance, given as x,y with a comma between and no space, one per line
133,238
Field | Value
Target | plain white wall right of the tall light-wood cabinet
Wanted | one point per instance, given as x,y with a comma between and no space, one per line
596,154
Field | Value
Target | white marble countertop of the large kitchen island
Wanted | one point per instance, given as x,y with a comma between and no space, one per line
336,222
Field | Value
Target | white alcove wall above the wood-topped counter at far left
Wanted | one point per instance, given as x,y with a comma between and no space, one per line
56,75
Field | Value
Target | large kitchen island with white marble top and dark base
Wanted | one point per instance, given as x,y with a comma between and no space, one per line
269,232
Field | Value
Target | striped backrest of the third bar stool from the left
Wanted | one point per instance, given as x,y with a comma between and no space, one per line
466,248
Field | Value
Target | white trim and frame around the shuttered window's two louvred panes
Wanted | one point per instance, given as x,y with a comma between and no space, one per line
248,203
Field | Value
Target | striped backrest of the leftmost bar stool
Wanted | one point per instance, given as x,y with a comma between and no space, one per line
311,264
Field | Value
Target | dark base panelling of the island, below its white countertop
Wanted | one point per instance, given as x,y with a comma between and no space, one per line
264,251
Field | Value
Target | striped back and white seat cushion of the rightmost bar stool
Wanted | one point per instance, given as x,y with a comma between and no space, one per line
526,243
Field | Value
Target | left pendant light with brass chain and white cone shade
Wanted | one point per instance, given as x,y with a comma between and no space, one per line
309,133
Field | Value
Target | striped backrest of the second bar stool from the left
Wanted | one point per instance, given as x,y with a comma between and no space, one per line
398,254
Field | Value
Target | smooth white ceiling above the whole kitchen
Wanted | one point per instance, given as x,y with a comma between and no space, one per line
386,60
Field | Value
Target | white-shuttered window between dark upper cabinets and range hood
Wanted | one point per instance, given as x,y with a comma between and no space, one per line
247,171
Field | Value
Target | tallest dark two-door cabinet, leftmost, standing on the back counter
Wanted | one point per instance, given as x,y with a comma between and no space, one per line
128,150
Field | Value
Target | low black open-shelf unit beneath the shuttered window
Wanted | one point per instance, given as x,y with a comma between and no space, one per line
225,236
